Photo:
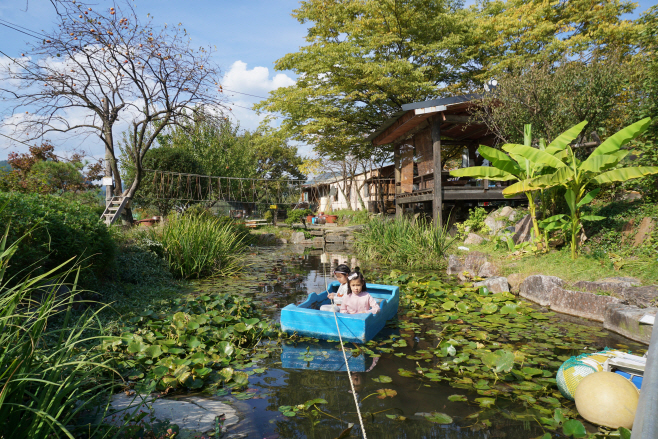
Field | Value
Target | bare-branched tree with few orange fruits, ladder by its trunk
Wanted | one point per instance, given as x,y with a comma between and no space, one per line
98,69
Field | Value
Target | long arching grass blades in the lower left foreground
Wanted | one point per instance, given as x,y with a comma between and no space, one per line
48,376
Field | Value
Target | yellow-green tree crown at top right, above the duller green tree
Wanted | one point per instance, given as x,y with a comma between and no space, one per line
512,34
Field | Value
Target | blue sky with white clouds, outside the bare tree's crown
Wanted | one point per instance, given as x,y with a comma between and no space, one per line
250,36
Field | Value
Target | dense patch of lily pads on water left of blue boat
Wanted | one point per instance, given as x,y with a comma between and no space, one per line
193,345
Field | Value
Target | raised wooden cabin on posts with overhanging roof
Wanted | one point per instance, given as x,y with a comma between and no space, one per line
430,138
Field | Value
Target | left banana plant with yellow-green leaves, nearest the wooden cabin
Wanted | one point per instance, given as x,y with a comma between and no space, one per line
518,166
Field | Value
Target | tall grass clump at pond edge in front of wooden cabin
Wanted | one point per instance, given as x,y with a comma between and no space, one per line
404,242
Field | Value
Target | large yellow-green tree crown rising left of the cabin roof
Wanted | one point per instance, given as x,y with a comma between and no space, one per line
363,61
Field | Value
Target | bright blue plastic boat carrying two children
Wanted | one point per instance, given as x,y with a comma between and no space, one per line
306,318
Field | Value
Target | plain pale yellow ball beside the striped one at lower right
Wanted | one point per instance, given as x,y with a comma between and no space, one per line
608,399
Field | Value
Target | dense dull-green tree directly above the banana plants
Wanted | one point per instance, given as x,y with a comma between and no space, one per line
553,97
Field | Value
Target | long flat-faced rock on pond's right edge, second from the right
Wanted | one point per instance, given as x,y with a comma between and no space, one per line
580,303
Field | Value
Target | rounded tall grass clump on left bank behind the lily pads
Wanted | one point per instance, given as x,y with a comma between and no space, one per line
196,246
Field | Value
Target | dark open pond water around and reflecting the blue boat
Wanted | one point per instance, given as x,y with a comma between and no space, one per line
299,371
